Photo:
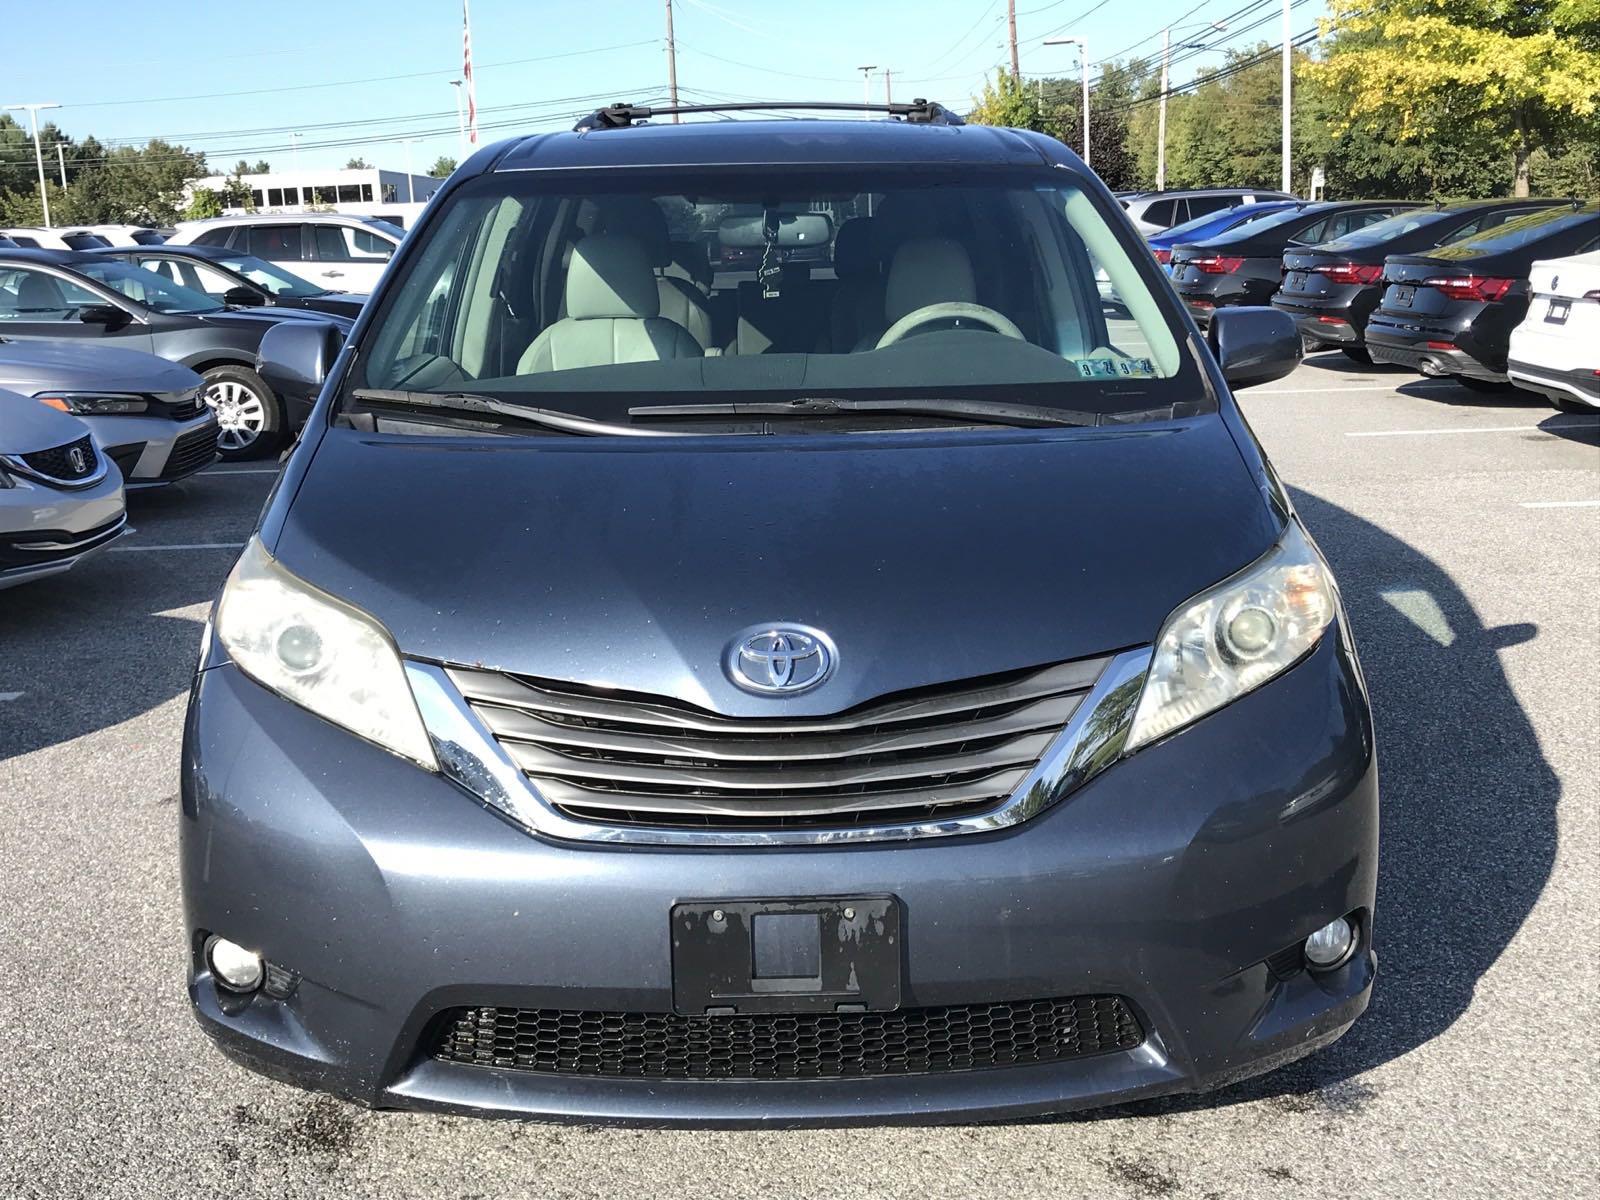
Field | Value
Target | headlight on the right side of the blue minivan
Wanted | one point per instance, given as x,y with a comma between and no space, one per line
1236,638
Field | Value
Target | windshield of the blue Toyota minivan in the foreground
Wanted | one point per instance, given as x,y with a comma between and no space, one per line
585,294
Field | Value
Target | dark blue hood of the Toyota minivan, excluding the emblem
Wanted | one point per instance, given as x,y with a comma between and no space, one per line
927,558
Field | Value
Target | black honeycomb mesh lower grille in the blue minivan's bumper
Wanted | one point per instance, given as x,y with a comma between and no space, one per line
790,1046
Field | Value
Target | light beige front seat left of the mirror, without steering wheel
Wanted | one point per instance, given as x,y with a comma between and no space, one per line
614,314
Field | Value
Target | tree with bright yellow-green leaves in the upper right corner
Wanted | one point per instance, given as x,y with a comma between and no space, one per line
1527,71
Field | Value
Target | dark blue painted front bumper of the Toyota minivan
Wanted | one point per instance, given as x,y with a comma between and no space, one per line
1170,881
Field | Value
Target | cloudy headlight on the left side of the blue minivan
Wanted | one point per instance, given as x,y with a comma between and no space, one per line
319,654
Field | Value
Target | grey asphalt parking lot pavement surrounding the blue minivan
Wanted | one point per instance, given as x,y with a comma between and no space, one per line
1466,534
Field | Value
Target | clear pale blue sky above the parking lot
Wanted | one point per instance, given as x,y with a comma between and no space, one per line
311,84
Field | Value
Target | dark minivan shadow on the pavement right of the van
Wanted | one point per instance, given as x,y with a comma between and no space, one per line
1468,828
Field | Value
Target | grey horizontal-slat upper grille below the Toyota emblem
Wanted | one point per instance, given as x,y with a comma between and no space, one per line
622,759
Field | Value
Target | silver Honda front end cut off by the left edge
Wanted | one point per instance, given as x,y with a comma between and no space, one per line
60,498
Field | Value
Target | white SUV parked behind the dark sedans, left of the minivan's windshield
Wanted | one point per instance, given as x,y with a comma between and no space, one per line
348,254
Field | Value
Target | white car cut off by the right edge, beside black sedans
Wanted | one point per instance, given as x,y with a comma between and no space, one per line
1556,351
